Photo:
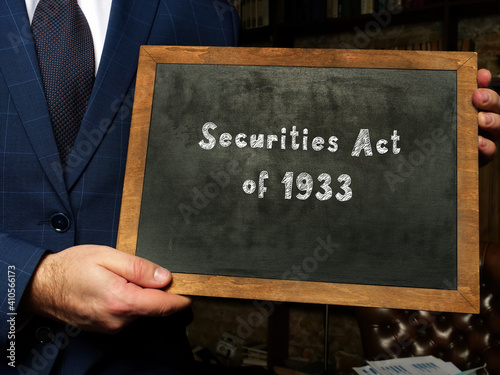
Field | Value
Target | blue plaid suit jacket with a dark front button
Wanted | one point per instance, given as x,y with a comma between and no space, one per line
33,186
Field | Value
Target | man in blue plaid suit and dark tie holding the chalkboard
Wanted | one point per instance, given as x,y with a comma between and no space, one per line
73,308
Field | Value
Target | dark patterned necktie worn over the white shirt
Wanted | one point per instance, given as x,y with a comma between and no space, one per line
65,52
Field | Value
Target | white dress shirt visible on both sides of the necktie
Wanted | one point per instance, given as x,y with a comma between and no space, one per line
97,14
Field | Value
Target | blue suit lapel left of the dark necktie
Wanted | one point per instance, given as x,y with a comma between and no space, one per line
19,66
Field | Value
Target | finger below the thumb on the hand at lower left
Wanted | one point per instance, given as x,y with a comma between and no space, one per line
154,302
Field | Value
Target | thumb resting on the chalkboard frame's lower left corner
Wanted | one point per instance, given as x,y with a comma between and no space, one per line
137,270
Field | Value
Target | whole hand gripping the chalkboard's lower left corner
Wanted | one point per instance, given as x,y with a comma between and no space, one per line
98,288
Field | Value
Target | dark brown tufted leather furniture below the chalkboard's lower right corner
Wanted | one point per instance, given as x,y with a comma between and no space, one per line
467,340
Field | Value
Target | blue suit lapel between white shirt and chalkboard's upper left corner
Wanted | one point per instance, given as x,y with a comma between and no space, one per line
129,27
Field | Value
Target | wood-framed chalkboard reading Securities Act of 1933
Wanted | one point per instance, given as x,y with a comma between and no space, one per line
301,174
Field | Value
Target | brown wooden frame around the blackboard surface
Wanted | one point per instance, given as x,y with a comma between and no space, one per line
466,296
